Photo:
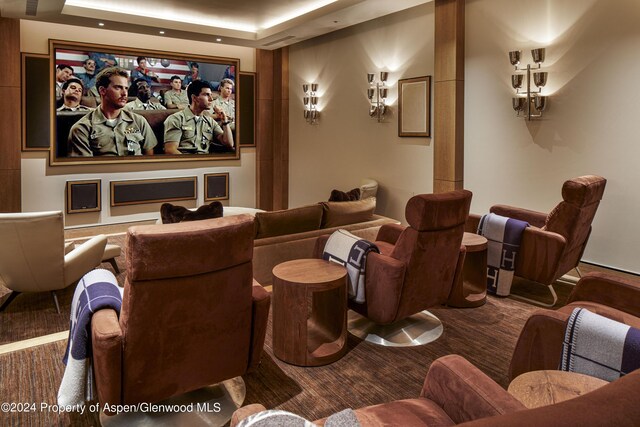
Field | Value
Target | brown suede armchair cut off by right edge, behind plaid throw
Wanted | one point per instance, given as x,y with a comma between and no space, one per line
540,343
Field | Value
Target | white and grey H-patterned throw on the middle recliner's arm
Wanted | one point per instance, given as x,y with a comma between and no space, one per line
351,251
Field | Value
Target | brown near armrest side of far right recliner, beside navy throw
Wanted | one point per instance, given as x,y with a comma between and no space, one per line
539,256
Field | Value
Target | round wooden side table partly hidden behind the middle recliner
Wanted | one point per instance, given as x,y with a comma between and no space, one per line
470,290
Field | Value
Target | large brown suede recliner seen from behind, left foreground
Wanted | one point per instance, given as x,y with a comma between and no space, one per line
191,316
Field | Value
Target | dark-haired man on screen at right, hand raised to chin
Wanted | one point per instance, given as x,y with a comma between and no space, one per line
193,129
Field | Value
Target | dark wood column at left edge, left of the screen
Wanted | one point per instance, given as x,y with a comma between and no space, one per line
10,145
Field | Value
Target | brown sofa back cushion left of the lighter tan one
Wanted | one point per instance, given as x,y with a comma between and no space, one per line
288,221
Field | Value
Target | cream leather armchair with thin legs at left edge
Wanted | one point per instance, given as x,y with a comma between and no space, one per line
35,258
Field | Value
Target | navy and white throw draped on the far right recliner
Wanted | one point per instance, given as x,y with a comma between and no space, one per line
503,235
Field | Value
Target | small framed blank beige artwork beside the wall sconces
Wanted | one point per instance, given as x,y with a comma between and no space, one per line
414,107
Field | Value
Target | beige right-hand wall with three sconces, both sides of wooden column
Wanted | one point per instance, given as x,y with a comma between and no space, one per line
591,126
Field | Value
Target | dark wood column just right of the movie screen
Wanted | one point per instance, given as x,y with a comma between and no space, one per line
272,133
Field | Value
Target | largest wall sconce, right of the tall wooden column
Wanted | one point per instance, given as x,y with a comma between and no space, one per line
530,102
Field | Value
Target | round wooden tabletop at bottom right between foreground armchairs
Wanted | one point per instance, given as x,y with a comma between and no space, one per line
541,388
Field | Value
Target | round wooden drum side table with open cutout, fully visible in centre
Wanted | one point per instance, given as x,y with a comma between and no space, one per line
309,312
